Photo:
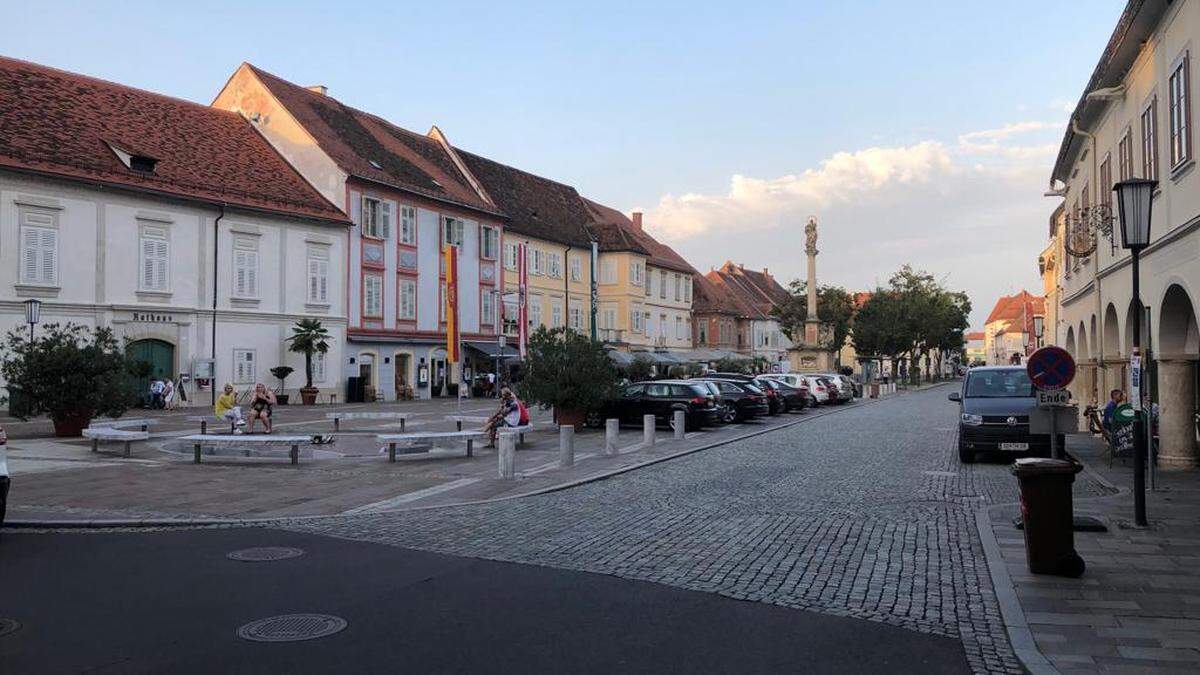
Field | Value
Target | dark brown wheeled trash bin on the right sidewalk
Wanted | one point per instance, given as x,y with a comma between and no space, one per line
1048,516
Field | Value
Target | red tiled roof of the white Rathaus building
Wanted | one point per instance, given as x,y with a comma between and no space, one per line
64,124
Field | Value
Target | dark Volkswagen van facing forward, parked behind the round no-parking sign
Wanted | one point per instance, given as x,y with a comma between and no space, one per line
994,414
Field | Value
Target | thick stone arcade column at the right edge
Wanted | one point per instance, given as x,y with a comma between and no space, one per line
1177,414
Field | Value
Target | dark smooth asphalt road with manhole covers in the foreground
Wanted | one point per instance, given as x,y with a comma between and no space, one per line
172,602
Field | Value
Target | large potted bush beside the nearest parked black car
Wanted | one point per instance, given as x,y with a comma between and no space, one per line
568,372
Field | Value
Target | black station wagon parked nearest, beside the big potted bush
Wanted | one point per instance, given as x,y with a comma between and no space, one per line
661,399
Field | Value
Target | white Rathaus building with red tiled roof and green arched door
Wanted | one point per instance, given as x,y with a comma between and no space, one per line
128,210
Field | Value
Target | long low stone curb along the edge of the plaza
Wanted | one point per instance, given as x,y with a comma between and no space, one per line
93,524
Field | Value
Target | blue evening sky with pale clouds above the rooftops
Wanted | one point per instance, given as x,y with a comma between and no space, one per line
915,132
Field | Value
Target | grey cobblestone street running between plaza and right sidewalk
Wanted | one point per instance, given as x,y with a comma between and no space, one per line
865,515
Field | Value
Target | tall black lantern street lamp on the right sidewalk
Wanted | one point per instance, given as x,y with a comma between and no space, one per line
1135,202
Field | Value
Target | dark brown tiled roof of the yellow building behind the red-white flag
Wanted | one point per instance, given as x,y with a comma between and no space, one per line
536,206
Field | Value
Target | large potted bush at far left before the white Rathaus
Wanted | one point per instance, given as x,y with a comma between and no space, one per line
70,374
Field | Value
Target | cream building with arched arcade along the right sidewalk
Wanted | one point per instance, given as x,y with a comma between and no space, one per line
1136,120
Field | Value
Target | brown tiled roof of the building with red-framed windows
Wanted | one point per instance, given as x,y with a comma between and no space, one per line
371,148
